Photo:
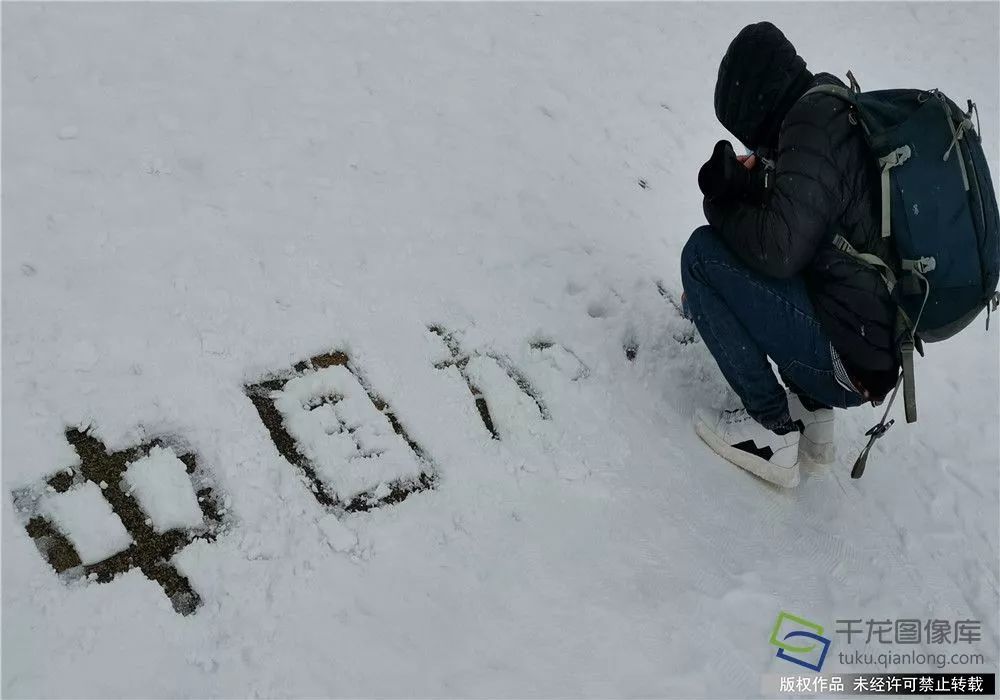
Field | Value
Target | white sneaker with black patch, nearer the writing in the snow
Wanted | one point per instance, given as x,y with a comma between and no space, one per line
746,443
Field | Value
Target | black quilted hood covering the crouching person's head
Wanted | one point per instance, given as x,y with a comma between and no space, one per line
760,78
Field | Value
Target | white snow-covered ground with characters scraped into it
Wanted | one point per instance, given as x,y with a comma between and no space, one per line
198,197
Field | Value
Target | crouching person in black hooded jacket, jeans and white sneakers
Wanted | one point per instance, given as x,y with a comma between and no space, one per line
764,280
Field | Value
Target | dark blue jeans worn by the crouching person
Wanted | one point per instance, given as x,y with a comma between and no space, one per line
745,318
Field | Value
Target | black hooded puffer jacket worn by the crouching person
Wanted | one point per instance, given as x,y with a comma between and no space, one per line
825,182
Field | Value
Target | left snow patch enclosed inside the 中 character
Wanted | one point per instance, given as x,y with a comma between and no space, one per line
87,520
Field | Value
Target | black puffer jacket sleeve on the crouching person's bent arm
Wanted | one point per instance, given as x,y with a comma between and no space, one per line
780,236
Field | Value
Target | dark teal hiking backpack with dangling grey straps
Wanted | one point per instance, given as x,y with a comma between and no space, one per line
939,211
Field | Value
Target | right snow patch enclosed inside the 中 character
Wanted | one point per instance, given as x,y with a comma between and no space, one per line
160,483
